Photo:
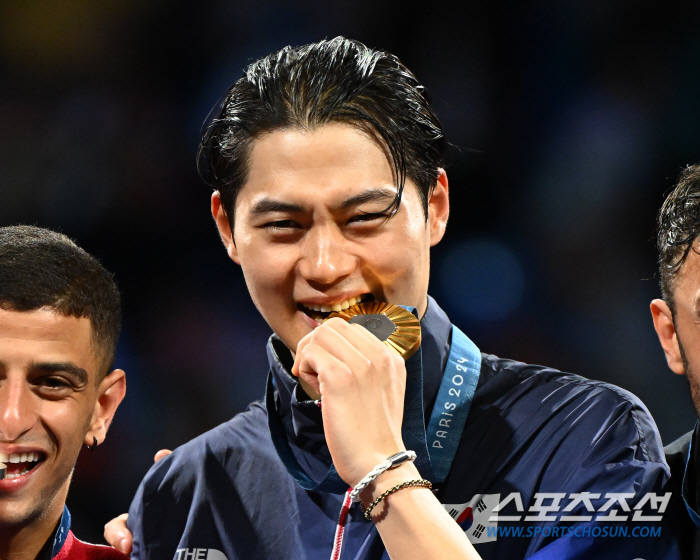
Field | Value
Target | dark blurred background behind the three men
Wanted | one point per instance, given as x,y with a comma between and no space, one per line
570,121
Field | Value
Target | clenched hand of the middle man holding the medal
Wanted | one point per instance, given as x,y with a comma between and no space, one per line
362,383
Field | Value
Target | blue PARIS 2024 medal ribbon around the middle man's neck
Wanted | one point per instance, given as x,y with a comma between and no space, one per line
436,450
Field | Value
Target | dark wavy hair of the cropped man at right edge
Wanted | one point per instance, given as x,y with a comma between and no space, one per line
678,226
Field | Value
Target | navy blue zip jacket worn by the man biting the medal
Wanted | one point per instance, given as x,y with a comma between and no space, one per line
531,429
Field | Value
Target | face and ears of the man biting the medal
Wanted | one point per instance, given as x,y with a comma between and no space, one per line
310,232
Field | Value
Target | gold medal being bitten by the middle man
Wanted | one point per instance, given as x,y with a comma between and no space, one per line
393,325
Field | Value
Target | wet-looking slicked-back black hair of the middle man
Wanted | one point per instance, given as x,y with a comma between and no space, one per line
335,81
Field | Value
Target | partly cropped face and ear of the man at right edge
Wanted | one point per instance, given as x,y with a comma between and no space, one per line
680,335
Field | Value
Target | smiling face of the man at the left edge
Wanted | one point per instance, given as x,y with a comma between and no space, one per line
48,396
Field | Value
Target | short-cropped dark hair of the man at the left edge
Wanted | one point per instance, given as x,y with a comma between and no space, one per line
41,268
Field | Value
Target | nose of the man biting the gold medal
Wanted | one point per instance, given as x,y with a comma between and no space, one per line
326,257
